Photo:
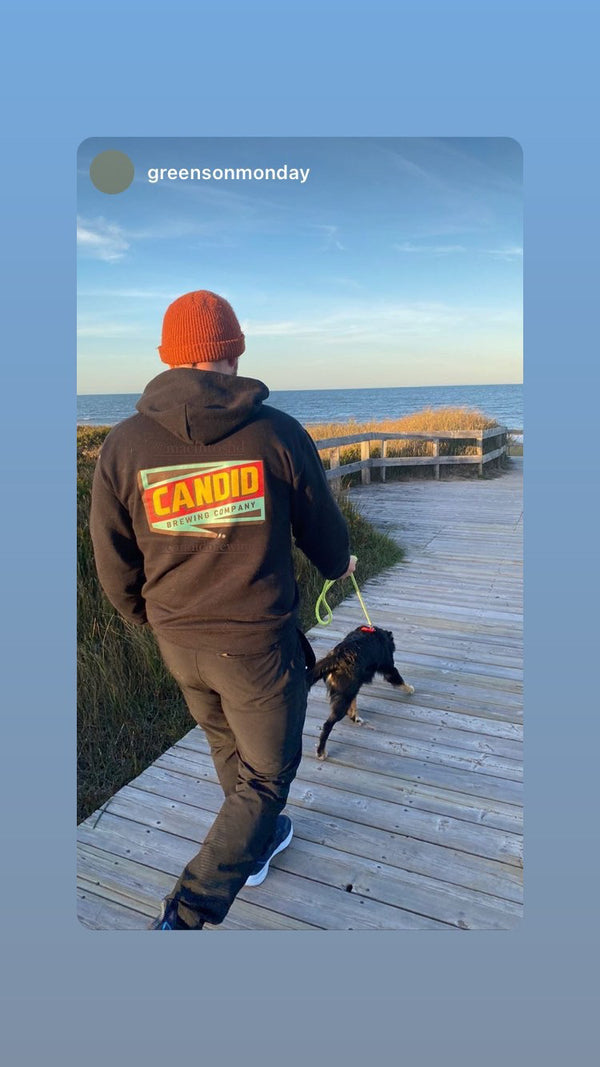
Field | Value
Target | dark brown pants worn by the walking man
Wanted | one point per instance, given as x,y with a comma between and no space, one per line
252,709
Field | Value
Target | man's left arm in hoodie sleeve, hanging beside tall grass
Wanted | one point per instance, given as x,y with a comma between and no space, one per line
119,562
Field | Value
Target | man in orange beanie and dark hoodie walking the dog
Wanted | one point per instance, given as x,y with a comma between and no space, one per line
195,503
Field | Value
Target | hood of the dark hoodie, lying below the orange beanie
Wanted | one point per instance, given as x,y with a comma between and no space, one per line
202,406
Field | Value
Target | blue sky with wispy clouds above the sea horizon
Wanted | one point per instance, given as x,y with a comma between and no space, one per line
399,262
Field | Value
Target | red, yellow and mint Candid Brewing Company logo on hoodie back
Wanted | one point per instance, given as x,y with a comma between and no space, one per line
191,498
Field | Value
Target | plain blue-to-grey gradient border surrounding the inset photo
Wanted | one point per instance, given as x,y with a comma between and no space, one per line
509,70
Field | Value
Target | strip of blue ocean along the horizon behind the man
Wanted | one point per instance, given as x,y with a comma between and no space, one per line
503,403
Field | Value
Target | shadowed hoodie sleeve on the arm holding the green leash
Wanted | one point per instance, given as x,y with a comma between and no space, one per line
318,524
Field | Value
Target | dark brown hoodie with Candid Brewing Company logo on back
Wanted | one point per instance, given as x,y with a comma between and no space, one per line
195,503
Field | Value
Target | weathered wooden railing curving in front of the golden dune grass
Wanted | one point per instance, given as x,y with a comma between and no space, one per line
368,463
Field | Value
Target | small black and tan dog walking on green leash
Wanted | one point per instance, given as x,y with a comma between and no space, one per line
366,652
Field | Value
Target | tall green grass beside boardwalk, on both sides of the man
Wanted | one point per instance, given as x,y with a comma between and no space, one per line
130,708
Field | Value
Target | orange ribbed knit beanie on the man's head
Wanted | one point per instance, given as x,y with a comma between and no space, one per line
200,328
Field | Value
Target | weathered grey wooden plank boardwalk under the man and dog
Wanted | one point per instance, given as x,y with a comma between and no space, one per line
415,824
